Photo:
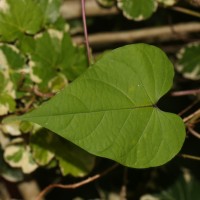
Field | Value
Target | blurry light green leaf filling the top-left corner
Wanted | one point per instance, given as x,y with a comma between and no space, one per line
16,19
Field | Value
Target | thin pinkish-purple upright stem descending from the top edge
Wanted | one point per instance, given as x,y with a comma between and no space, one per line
89,55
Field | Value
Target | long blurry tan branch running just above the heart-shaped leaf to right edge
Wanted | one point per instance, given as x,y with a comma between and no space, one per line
163,33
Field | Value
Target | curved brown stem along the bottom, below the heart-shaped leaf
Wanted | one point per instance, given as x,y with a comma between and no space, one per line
75,185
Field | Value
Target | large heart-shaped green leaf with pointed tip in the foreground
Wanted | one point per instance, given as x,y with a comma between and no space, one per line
110,110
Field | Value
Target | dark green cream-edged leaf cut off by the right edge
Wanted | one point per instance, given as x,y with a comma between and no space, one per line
189,61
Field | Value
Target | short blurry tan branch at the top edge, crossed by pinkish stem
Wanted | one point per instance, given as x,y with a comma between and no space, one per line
72,9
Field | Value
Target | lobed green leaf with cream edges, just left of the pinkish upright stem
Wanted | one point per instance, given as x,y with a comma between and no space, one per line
54,53
